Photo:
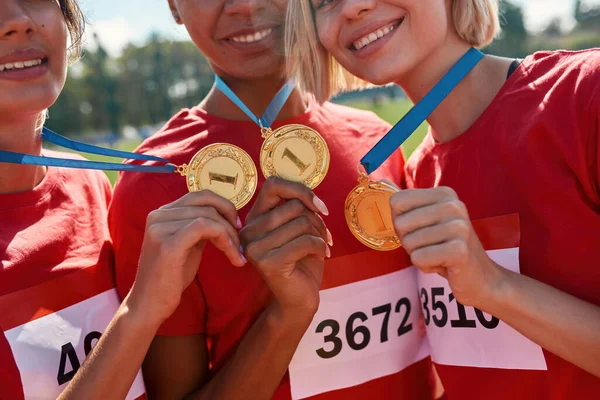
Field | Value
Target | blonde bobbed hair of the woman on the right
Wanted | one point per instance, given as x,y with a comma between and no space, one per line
317,72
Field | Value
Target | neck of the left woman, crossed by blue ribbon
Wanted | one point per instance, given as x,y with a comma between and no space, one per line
20,134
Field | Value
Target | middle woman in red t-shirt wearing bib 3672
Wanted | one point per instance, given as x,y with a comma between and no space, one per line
237,330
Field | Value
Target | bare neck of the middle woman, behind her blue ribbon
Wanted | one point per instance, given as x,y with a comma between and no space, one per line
256,94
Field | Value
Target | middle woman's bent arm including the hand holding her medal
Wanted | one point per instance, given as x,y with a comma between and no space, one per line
286,244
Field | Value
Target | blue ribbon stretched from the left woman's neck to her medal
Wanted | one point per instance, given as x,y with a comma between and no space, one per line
55,138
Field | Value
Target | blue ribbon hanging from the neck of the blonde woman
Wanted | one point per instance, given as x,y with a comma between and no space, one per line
419,113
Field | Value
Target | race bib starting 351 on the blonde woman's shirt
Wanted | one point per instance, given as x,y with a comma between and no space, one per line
465,336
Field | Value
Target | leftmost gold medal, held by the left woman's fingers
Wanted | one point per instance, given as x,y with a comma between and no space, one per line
224,169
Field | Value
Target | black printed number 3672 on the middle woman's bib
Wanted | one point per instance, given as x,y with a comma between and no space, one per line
365,335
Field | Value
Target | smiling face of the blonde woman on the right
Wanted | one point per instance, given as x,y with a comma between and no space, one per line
381,41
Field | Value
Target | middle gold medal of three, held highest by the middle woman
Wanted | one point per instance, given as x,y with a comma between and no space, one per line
296,153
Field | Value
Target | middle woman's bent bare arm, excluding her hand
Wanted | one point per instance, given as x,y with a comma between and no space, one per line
176,367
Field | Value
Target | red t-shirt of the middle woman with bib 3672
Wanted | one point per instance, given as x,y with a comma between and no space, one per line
223,302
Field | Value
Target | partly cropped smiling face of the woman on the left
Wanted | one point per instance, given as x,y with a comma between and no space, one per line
33,55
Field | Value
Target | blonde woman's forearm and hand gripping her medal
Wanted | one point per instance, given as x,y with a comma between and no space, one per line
436,231
